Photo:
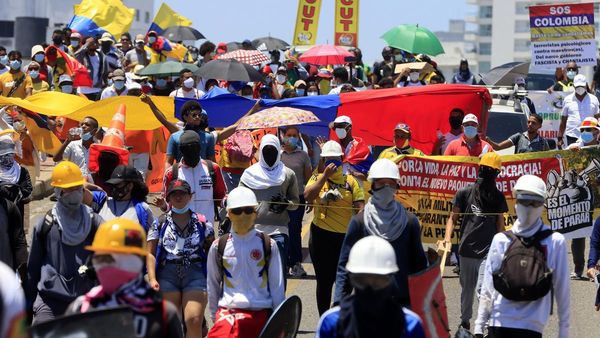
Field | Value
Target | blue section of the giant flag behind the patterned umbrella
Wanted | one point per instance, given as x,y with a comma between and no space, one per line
225,108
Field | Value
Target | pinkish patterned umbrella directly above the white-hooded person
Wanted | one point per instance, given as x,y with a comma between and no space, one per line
277,117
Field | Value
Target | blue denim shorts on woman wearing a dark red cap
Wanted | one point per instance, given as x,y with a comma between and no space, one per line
193,280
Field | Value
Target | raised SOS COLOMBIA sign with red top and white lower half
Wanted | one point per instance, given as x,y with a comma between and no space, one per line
561,33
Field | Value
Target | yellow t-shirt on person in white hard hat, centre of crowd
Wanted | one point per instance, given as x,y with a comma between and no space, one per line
336,216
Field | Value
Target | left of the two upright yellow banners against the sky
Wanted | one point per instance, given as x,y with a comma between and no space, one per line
307,22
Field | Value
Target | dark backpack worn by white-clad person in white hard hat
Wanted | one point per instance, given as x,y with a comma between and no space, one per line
524,274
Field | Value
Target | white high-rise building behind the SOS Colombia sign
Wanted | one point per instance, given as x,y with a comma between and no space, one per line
501,30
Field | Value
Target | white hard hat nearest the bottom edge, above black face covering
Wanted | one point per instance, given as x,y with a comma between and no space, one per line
372,255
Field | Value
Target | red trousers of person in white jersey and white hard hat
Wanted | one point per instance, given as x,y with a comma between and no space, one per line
238,323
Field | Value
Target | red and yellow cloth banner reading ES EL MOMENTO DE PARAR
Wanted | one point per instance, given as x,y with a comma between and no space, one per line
428,185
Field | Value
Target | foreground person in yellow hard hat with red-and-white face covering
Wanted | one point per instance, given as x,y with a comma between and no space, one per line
119,251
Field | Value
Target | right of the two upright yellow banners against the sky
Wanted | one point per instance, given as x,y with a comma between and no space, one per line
346,23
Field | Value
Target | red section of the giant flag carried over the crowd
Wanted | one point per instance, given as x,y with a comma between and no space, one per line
426,109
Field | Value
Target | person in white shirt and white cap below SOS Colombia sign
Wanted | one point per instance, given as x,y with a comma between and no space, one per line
576,107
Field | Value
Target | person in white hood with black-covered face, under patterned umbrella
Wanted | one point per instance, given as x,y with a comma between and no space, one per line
276,189
